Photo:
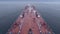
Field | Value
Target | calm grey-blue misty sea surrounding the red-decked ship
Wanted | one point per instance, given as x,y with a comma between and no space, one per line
9,12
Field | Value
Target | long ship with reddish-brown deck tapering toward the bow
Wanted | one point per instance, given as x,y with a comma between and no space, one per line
30,21
